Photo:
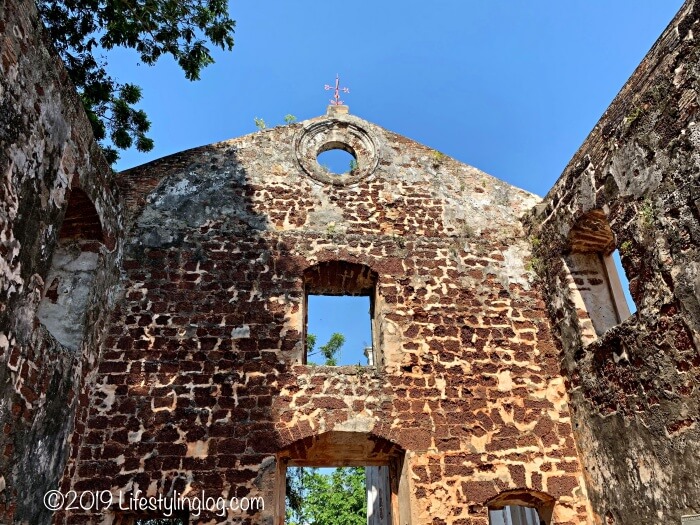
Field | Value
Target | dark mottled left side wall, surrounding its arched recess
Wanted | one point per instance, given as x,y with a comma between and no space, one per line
46,148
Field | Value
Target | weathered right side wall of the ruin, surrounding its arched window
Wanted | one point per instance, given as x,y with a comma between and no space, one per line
634,389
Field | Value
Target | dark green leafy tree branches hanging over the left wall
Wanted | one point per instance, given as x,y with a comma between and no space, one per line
82,29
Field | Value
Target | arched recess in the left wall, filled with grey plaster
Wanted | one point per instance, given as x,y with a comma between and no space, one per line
74,263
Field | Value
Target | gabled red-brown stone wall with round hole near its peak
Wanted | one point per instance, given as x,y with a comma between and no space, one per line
200,386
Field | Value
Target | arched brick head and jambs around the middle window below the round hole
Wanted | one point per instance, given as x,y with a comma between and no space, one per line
343,278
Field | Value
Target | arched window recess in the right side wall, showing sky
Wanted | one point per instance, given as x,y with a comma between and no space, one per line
594,284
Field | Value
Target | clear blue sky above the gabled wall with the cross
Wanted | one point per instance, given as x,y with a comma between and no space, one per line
510,87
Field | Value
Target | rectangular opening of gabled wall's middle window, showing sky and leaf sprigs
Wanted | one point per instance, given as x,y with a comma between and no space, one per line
339,330
